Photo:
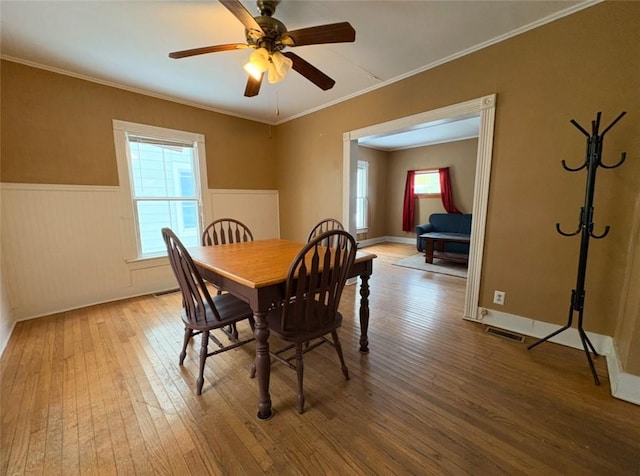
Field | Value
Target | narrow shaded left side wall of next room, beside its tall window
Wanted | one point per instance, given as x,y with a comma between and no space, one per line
377,192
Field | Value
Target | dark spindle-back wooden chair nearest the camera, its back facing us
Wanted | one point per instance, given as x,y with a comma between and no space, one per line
309,310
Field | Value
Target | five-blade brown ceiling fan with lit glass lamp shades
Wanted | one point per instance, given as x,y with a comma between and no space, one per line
268,37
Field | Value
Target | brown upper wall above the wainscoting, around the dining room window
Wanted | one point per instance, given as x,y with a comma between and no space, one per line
58,130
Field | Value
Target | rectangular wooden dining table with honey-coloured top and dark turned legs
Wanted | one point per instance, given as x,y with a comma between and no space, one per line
256,272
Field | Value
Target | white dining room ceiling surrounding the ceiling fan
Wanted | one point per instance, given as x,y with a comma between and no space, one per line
125,44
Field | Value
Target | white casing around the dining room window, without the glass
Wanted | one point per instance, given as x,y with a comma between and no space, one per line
129,232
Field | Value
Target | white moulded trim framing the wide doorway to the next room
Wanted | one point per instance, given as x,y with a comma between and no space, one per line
484,107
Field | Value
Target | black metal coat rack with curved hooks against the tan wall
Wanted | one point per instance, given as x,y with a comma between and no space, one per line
592,162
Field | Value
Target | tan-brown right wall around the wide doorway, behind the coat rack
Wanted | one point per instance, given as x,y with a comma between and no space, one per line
571,68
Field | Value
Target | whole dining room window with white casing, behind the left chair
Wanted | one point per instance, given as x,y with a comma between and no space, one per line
161,174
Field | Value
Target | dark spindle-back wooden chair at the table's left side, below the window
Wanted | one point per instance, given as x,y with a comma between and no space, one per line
202,313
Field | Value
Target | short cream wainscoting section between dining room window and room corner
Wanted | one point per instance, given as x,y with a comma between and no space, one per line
258,209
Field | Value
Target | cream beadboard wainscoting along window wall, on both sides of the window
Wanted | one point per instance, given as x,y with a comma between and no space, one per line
62,246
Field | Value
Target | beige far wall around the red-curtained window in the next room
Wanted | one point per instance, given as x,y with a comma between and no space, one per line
459,156
